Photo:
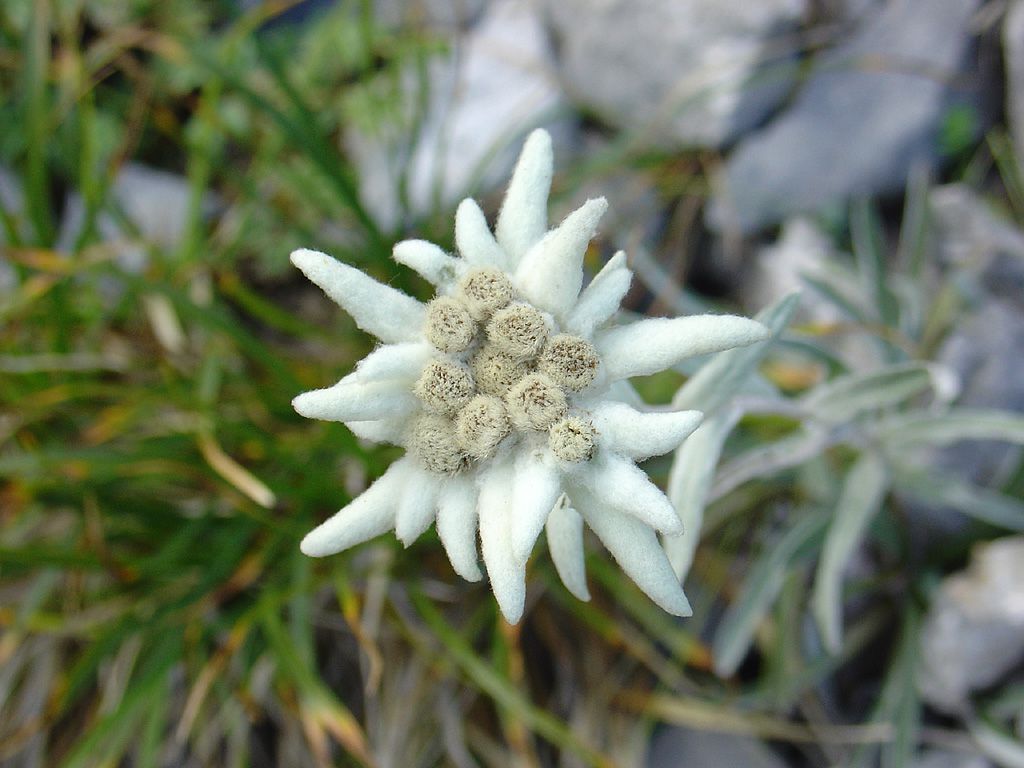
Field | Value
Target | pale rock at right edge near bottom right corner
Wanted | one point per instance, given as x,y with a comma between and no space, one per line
974,632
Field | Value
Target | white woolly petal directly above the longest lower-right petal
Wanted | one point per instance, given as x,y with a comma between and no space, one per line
621,485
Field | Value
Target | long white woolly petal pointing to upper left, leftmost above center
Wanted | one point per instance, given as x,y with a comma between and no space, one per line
378,310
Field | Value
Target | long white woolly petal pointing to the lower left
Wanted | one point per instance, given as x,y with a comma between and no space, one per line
369,516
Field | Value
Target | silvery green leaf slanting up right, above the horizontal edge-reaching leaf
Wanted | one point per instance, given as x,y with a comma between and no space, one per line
842,400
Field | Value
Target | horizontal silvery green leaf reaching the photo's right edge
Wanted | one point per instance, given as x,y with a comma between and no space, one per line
953,426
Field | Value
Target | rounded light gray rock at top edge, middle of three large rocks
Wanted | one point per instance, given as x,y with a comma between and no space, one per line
678,72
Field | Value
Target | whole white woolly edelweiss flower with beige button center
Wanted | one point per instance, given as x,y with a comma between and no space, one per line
507,392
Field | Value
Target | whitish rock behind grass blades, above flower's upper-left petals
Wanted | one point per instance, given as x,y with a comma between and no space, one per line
481,101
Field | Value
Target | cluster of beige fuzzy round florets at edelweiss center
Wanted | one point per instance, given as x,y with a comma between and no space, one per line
503,372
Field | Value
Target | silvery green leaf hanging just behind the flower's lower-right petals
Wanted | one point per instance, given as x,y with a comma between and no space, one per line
690,480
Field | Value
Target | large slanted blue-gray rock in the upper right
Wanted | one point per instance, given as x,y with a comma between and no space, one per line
872,110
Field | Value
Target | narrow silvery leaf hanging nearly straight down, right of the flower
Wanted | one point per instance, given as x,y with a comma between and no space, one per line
860,500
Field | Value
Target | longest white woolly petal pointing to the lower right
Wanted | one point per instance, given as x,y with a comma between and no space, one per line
637,551
